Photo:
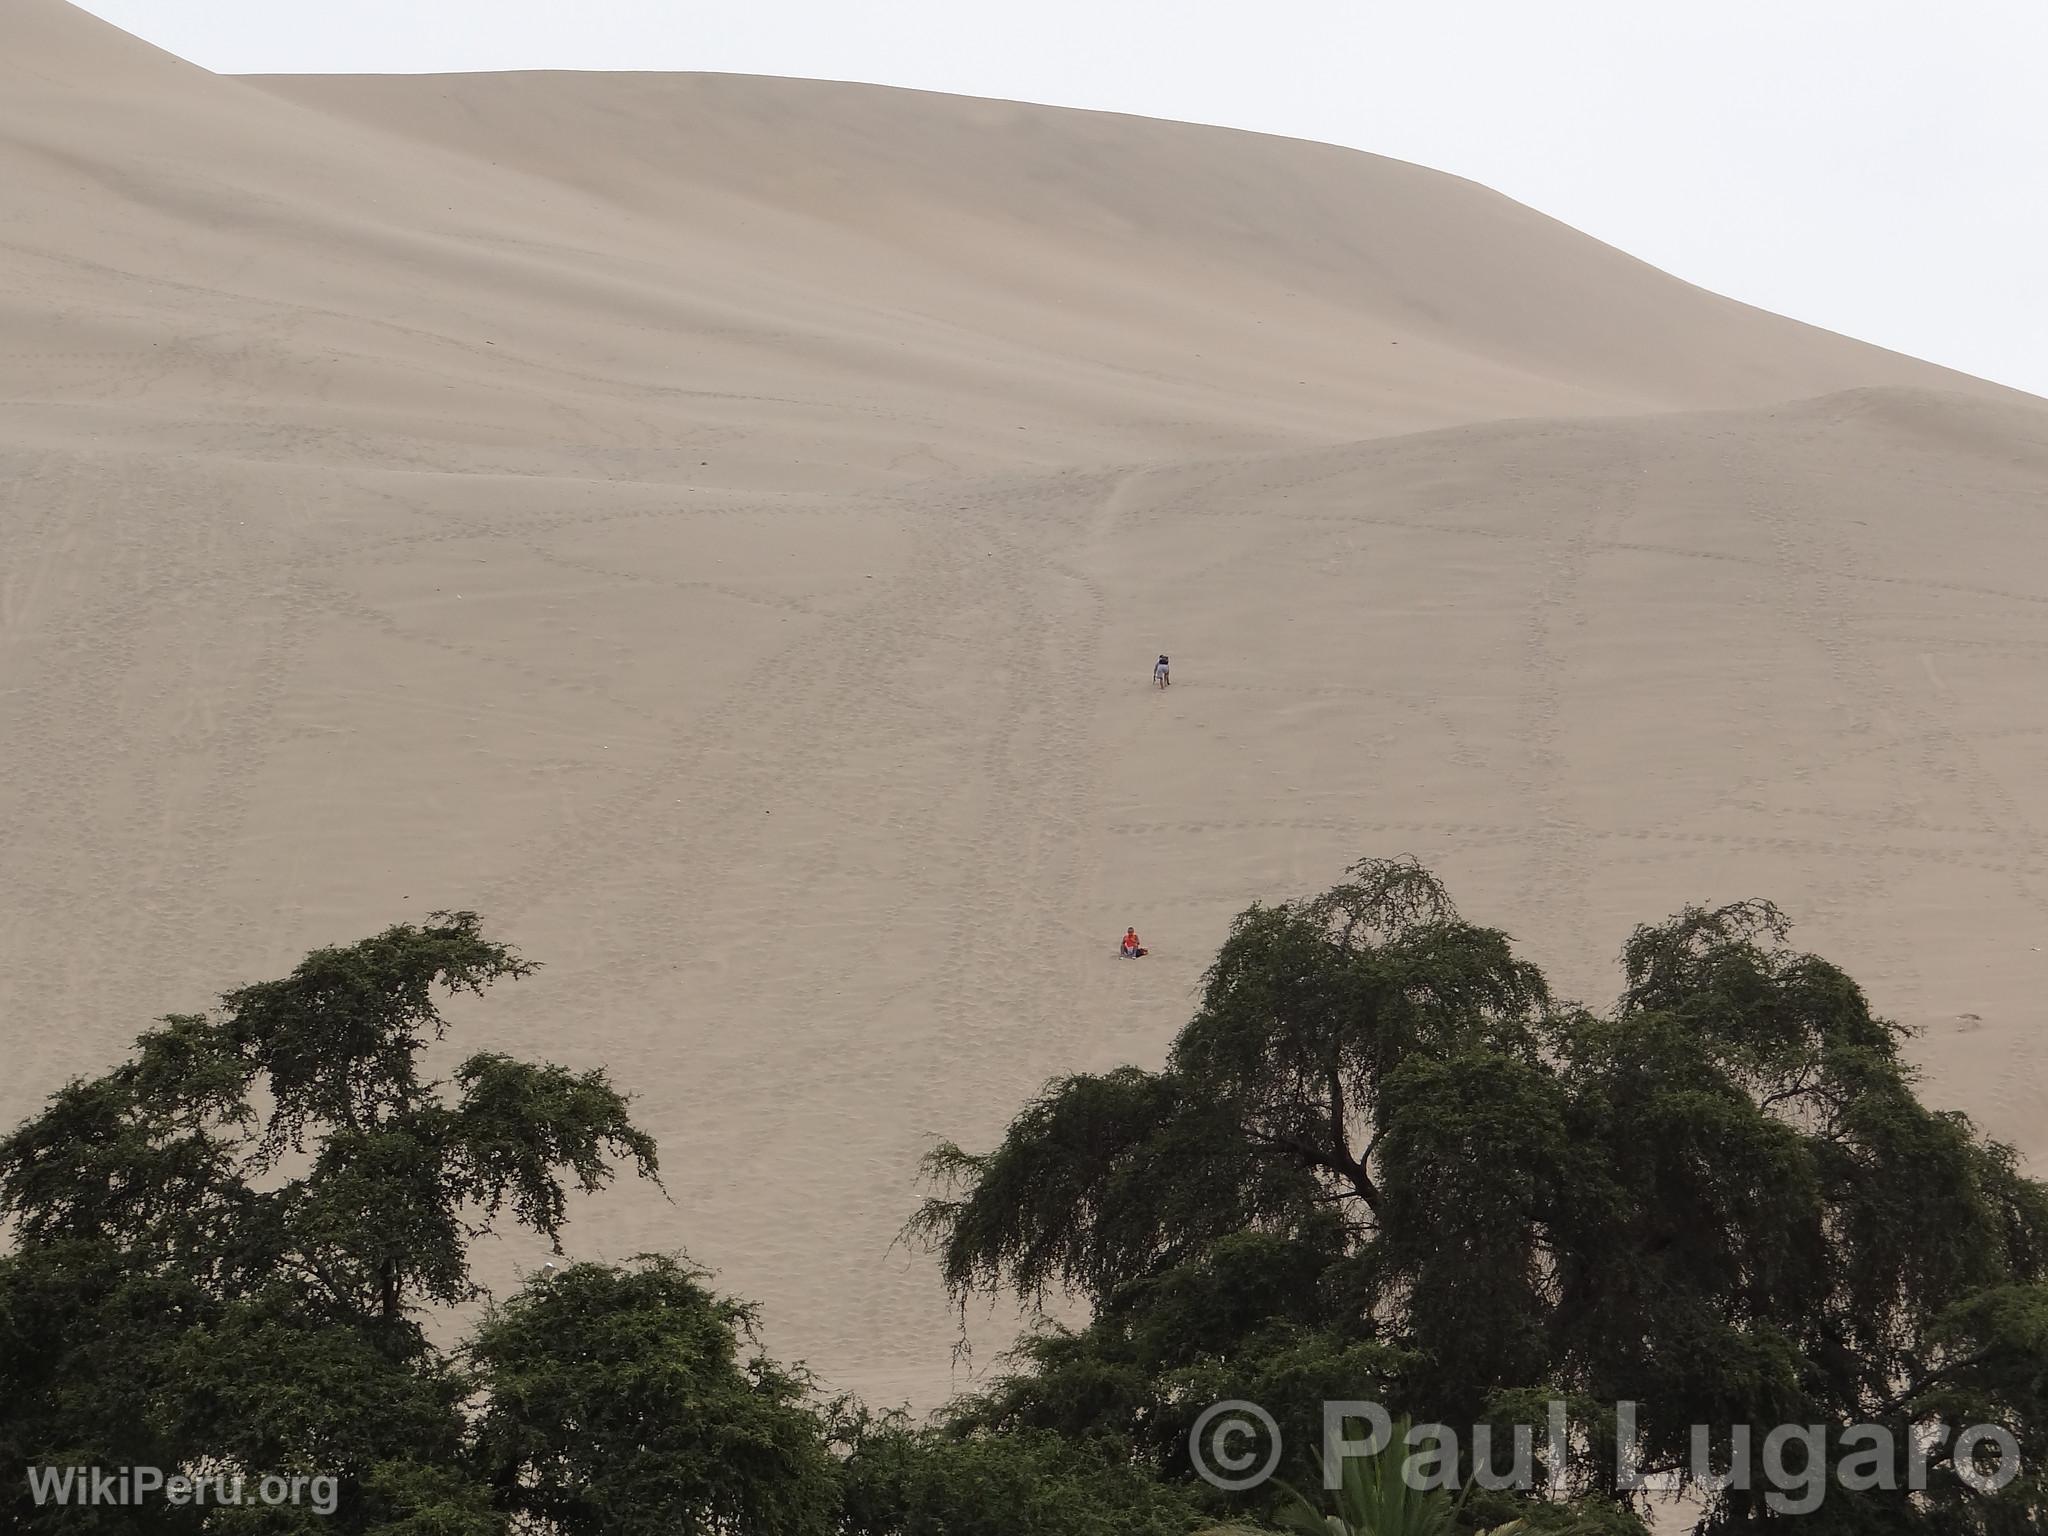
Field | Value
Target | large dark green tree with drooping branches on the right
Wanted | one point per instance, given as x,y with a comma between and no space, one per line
1719,1199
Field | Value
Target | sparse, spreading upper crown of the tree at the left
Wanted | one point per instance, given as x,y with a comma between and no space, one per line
171,1160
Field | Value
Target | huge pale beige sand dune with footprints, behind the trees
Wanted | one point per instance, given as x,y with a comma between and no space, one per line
722,527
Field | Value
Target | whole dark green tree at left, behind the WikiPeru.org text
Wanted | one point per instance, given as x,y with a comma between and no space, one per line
222,1250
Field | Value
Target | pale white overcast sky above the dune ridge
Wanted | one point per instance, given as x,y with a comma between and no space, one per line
1875,167
